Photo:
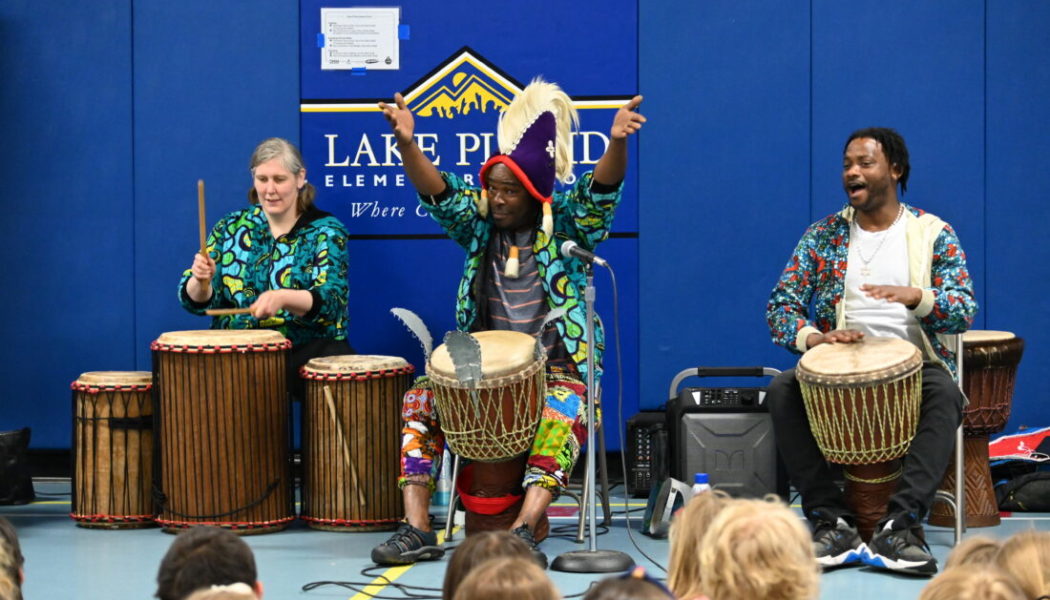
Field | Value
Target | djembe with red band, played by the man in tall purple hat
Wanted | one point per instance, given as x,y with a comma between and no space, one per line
493,426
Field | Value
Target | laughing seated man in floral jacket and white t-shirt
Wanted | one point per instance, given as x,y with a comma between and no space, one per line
877,268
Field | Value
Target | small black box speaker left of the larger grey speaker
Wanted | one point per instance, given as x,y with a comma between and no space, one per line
647,452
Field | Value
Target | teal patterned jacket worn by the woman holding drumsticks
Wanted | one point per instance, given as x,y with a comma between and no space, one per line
249,261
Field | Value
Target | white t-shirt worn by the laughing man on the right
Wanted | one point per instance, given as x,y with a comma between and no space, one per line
879,258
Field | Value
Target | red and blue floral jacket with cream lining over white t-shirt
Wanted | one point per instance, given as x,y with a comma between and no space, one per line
816,275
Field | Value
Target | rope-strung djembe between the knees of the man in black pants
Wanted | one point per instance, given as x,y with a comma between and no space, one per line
864,401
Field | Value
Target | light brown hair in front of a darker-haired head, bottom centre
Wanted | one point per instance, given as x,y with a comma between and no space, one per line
510,578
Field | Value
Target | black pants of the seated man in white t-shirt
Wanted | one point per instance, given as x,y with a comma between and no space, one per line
925,465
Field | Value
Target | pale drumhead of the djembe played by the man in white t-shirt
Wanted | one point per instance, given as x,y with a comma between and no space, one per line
871,361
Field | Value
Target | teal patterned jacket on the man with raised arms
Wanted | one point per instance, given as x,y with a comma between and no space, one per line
581,214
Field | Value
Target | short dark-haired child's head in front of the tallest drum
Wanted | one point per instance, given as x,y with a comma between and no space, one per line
202,557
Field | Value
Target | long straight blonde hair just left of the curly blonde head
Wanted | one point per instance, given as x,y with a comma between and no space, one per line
687,536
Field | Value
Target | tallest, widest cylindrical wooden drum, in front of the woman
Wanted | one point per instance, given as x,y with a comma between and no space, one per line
223,428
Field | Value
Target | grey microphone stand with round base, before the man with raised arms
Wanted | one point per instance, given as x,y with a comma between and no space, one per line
592,561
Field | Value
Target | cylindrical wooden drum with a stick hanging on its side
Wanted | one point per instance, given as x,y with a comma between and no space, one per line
351,438
